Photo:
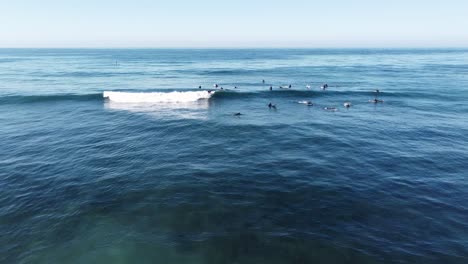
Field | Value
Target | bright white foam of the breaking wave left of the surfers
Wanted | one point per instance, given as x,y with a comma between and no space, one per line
157,97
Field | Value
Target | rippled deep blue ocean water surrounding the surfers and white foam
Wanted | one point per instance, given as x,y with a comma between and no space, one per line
84,179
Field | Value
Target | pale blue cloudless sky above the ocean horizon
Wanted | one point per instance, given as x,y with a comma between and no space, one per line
234,23
